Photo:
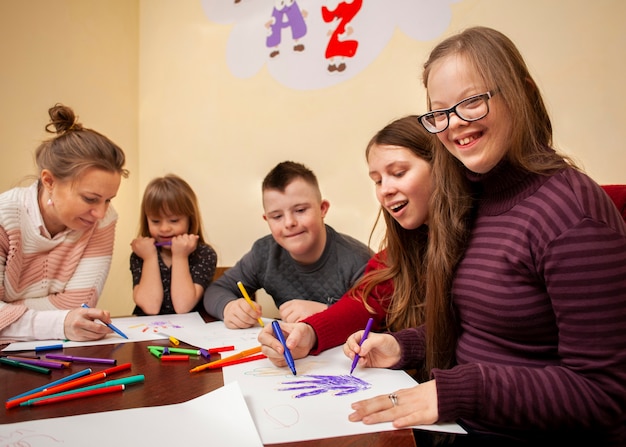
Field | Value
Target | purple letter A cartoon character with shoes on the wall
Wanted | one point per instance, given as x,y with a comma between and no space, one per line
286,15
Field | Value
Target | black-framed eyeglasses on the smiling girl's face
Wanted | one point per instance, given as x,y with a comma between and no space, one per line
470,109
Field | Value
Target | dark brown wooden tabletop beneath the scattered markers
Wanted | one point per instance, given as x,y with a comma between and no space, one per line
165,383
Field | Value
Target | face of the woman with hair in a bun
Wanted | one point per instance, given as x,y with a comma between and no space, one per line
80,203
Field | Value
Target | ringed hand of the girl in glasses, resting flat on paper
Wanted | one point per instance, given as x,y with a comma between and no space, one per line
411,406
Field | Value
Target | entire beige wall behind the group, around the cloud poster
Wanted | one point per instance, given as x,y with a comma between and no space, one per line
152,75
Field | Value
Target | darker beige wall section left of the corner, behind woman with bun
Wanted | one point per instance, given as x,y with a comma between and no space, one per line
83,53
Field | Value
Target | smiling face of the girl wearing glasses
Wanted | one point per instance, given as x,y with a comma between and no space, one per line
481,144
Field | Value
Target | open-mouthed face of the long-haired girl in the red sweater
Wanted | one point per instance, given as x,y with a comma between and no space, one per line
403,183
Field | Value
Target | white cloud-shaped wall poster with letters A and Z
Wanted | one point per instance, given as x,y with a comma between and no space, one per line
313,44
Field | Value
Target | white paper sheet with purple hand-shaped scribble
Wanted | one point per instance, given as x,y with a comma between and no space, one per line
282,416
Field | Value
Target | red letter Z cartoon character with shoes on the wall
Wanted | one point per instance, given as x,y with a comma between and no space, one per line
337,49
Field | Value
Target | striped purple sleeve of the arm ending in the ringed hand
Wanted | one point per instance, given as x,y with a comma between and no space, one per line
586,389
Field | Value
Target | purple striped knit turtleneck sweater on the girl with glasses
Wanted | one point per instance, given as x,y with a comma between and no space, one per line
541,297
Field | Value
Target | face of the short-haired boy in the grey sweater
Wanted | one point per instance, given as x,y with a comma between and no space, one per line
296,219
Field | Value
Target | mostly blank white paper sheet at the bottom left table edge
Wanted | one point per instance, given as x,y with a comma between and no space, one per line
217,418
